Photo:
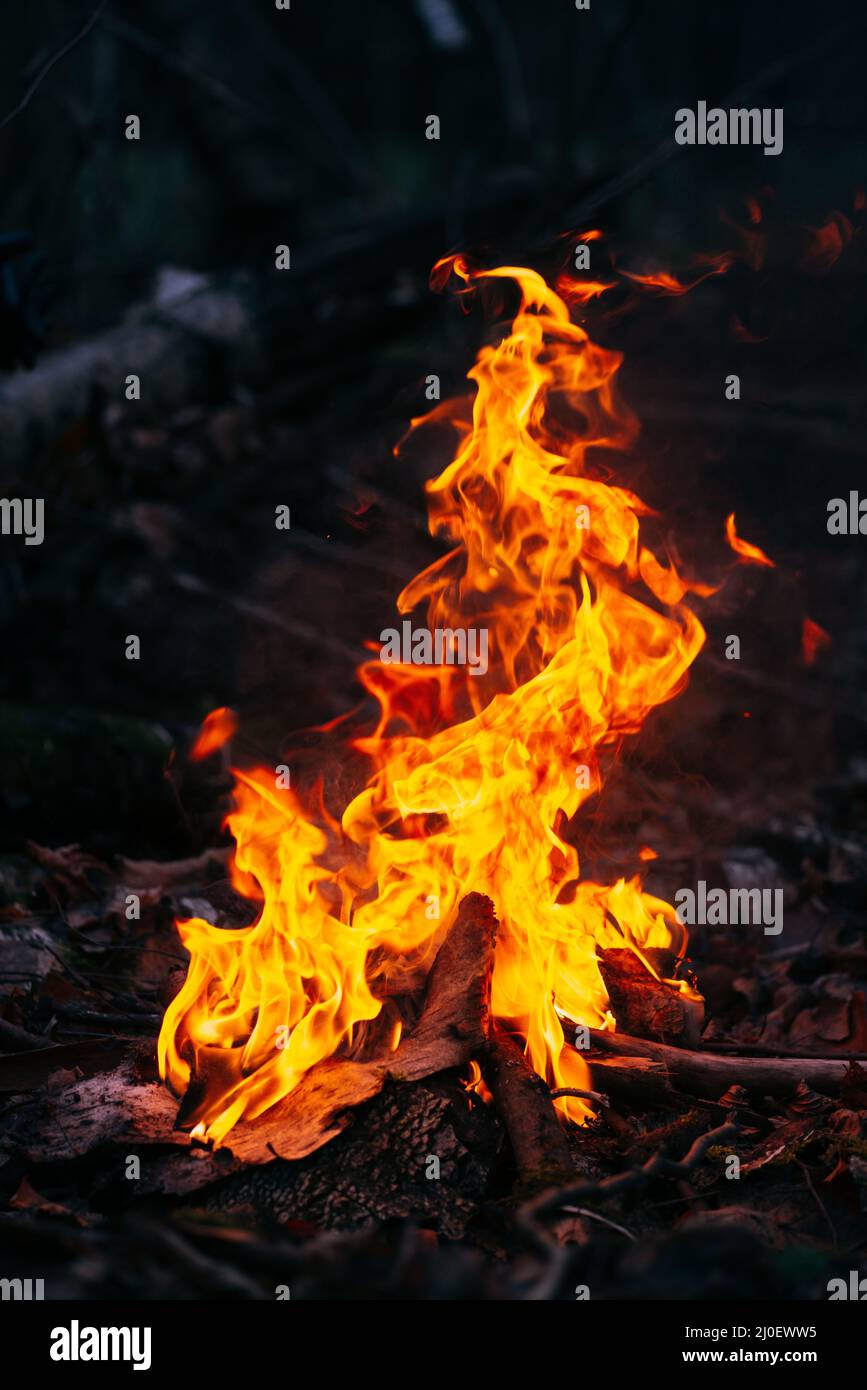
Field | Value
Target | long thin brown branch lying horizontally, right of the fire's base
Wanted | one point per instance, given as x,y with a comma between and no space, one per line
709,1075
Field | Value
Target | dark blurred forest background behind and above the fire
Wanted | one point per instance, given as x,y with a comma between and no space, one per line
308,129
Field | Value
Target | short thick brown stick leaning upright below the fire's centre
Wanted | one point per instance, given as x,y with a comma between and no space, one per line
525,1103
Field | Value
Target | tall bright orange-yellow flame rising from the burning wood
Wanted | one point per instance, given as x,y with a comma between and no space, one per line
476,779
